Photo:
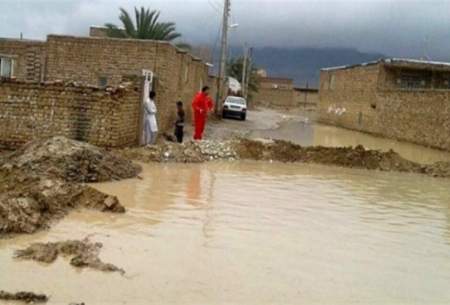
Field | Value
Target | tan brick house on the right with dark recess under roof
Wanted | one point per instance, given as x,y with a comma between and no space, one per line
398,98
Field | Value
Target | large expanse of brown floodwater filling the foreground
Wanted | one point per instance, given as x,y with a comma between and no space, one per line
255,233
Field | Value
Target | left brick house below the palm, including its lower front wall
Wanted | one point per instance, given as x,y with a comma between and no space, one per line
67,85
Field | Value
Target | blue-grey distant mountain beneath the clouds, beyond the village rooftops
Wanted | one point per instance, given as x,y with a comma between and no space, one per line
304,64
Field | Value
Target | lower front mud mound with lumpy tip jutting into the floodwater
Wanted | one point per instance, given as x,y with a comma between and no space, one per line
29,202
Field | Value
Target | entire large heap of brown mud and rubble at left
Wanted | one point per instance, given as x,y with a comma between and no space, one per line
38,182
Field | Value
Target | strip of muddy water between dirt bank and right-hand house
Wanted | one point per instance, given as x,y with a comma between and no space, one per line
307,134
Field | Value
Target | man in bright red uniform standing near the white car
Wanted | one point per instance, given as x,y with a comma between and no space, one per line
201,105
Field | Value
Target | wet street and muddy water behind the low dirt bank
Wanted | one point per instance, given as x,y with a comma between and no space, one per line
300,127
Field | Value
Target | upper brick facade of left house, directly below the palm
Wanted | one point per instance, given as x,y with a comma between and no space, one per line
88,60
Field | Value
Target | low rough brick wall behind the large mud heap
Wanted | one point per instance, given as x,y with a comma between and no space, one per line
30,111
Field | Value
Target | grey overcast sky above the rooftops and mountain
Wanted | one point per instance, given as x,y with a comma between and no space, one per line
394,27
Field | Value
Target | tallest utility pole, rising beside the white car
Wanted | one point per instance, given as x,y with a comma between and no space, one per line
223,55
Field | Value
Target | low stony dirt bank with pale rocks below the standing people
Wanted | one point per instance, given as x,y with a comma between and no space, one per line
188,152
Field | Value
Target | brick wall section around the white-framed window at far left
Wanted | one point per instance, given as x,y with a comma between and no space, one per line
28,56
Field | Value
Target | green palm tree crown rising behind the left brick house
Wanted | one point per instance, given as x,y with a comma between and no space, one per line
145,26
